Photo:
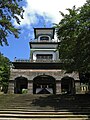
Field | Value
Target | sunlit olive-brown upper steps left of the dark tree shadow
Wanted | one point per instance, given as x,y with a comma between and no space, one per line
14,101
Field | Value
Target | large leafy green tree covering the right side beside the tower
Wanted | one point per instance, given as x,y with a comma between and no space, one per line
74,33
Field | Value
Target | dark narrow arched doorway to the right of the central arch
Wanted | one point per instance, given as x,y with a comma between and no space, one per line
67,85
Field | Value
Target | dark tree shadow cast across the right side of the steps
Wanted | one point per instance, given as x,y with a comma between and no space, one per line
73,103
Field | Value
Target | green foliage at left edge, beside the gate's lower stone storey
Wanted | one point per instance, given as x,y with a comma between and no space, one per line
4,72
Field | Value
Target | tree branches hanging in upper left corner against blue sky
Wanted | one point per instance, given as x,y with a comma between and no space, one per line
9,11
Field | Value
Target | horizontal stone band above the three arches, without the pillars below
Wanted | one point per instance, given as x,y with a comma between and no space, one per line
31,74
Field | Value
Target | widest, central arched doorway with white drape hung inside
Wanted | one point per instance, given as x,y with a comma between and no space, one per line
44,84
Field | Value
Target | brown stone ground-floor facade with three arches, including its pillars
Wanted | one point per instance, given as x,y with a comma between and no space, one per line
31,74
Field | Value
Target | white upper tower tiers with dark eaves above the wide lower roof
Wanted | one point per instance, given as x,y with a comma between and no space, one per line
44,47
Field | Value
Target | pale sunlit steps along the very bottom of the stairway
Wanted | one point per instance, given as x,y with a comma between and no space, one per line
46,115
